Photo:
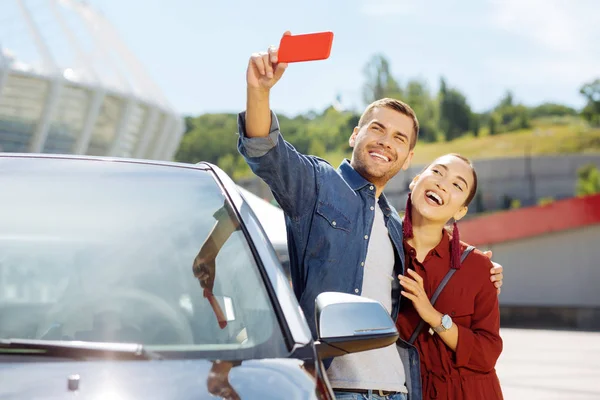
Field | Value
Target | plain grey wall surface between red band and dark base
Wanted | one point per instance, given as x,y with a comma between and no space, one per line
556,269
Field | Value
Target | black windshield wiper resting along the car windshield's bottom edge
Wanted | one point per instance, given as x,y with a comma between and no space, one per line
76,349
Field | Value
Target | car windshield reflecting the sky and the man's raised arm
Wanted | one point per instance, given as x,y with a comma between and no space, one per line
108,252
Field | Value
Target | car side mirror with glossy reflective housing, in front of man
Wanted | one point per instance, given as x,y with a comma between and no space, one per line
348,324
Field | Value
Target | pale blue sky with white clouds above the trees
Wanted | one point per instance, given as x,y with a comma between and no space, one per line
197,50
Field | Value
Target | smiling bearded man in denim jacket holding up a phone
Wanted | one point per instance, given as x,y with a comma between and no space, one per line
342,233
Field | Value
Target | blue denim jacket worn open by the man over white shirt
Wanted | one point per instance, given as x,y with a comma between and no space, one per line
329,214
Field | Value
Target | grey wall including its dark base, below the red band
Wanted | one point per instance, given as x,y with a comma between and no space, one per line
551,281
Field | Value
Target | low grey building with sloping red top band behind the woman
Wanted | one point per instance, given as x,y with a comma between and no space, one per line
551,256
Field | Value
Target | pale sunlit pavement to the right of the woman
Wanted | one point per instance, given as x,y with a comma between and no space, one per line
544,365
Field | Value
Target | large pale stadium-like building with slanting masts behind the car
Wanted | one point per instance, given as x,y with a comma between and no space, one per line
68,84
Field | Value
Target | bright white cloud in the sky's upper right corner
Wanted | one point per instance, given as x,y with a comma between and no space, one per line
564,35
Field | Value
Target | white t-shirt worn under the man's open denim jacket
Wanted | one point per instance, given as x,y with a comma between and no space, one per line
379,369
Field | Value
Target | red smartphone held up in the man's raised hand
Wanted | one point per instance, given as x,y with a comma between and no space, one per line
306,47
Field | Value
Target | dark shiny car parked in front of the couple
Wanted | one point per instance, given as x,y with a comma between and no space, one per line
101,298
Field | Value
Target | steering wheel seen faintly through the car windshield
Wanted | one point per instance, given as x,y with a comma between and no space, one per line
130,305
